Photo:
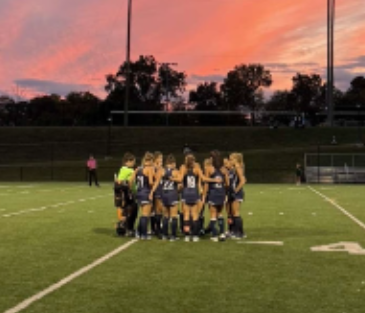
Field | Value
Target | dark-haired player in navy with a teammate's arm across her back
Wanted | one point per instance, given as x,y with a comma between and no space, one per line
216,193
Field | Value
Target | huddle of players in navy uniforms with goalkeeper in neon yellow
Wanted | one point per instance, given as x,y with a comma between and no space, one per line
158,187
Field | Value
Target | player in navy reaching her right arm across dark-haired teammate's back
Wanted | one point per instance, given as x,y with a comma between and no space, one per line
192,178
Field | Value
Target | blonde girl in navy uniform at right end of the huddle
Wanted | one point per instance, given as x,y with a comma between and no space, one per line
237,194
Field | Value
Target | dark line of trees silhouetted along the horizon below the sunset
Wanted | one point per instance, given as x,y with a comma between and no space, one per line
157,86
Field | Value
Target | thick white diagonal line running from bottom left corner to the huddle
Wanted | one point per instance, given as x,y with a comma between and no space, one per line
26,303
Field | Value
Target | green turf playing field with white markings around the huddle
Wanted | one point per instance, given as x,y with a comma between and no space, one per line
50,231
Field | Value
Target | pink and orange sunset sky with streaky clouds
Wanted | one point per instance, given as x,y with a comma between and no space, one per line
59,46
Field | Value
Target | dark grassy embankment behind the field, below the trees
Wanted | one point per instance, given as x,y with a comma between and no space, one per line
270,155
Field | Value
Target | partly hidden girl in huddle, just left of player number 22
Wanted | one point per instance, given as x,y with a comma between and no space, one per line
157,208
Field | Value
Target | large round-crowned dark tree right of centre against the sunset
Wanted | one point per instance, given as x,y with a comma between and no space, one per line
242,85
